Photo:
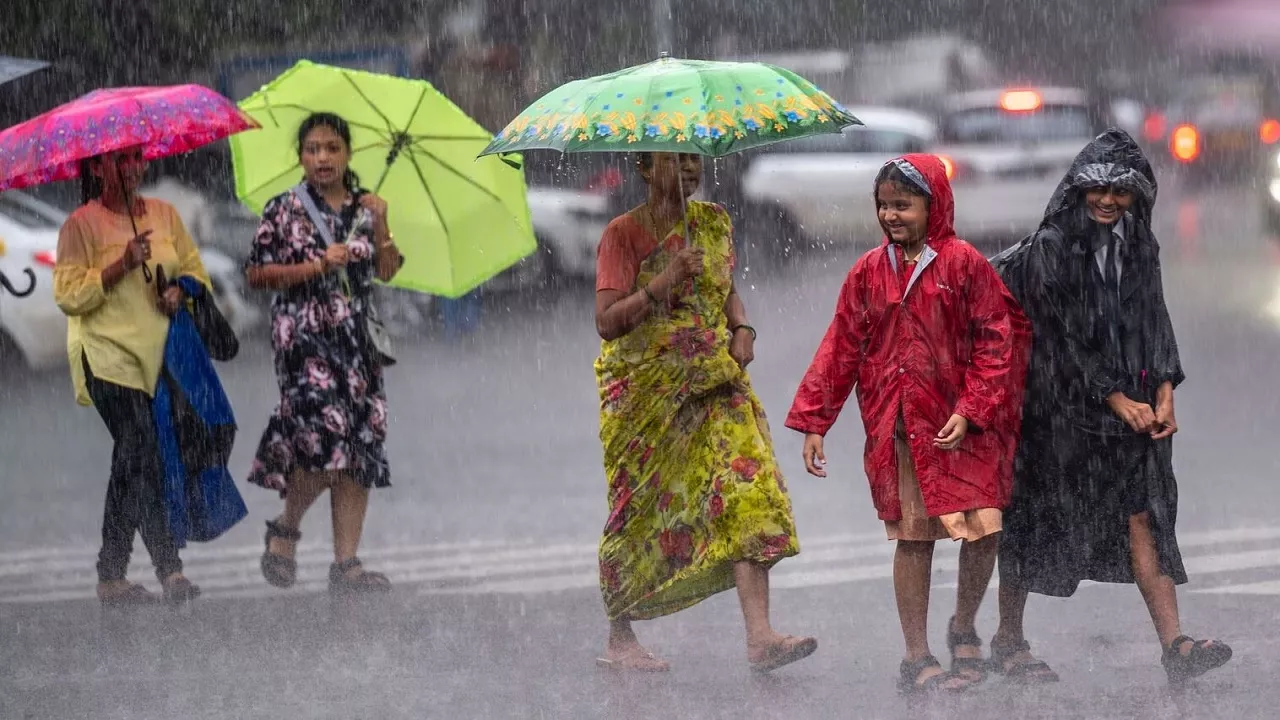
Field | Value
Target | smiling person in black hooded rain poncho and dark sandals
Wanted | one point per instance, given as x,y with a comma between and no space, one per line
1095,495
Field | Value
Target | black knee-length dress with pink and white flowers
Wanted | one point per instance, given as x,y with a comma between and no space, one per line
333,409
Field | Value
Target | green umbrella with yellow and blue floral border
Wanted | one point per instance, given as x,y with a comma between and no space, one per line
671,106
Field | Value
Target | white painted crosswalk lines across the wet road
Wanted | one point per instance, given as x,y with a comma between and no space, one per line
531,567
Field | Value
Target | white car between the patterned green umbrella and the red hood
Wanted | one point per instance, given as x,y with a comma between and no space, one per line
824,184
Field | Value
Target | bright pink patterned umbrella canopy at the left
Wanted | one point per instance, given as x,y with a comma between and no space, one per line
163,121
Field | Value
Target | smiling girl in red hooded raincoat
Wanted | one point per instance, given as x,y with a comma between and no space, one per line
938,350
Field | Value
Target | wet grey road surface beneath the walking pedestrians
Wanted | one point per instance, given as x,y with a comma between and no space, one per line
490,535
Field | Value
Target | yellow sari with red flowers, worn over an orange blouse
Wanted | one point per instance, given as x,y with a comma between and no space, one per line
694,485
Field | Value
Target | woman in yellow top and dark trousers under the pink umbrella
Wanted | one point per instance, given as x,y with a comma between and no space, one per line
116,336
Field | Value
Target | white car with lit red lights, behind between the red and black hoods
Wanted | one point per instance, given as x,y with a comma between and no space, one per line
1005,152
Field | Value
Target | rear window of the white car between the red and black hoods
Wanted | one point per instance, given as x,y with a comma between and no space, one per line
995,125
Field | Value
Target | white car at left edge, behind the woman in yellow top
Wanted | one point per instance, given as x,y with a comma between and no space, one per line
34,329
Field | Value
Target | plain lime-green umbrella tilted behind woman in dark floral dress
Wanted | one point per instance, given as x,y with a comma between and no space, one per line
458,221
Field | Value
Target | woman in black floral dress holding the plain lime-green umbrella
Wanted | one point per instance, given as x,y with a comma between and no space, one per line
330,429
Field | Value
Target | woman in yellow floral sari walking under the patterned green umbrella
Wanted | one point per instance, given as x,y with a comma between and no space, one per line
697,503
